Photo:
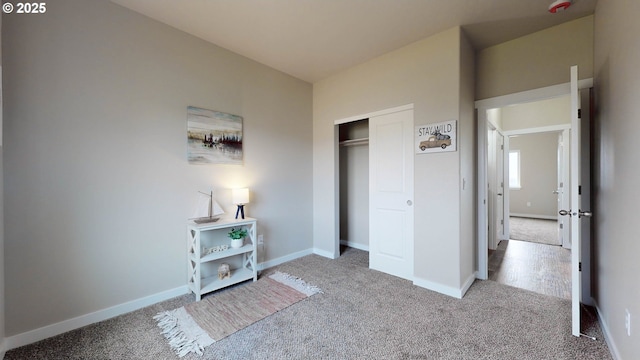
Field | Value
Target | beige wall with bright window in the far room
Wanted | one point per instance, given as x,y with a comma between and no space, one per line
538,175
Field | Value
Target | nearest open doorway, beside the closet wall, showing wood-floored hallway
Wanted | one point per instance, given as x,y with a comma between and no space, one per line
526,141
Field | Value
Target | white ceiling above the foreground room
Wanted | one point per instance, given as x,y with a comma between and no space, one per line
313,39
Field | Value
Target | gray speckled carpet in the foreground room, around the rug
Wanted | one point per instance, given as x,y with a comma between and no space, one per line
362,314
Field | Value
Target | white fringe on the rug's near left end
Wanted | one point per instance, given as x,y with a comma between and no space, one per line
175,324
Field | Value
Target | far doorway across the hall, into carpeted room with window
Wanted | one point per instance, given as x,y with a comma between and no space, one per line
536,181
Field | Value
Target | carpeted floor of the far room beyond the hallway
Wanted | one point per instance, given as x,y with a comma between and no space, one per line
534,230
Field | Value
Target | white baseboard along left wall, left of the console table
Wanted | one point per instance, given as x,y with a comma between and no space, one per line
48,331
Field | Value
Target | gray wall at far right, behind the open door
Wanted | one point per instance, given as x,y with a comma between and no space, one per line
616,171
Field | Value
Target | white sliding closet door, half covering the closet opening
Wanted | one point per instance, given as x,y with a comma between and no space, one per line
391,193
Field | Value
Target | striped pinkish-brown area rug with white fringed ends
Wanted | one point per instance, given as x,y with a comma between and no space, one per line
195,326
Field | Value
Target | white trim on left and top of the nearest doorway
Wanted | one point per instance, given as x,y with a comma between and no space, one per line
482,106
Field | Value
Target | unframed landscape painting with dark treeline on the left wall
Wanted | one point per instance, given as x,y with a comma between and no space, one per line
213,137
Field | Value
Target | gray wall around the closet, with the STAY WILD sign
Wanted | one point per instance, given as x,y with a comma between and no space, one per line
432,75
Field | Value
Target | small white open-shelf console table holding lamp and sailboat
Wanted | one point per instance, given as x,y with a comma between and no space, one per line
203,269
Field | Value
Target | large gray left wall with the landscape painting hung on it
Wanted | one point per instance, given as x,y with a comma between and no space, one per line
97,185
